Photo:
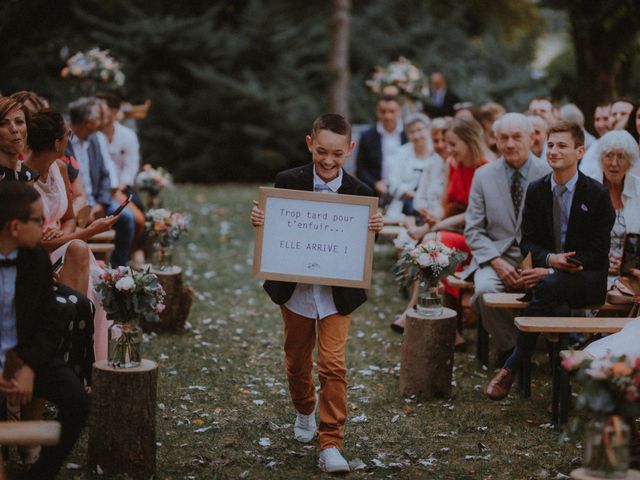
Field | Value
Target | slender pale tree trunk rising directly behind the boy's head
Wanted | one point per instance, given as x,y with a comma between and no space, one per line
339,57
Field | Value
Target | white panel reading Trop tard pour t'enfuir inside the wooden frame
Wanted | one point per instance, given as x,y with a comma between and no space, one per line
315,239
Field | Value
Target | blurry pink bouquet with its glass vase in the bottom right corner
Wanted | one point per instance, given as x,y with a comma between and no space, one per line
610,388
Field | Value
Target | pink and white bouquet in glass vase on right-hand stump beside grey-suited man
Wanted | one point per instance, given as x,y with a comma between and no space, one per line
427,263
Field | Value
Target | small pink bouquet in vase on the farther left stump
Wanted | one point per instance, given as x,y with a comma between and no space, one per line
163,227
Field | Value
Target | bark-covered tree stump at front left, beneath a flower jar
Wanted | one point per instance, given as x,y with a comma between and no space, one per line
122,423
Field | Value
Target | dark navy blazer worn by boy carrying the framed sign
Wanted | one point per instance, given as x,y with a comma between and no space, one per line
301,178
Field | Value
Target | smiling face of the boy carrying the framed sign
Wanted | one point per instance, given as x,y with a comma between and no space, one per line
329,150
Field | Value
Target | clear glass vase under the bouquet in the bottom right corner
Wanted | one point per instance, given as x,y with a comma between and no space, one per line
606,447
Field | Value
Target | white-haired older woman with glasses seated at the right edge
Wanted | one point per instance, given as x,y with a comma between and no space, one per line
617,154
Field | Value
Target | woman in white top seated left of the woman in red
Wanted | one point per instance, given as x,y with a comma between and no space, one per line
408,165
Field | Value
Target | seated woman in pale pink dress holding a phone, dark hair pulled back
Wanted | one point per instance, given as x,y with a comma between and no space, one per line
48,137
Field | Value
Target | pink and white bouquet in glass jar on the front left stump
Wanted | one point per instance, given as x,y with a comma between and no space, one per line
129,296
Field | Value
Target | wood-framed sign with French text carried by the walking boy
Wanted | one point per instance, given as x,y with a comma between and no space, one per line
315,238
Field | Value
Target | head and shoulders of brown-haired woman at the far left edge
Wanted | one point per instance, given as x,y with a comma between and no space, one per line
14,121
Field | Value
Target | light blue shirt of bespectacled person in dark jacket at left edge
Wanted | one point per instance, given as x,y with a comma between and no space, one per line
8,329
